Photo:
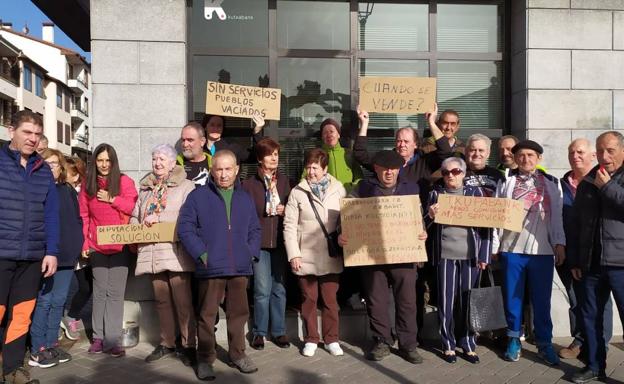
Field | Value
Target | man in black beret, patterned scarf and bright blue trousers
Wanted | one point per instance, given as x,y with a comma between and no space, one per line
528,257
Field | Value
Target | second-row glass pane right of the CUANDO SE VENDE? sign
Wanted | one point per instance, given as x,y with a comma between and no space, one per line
474,90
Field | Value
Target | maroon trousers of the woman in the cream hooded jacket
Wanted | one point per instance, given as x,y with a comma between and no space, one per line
328,286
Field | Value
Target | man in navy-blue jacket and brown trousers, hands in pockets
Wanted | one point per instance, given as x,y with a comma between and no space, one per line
219,228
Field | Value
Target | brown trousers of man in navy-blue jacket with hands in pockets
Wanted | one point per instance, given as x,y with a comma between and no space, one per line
210,293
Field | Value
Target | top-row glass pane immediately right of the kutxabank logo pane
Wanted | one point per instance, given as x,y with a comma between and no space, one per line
313,25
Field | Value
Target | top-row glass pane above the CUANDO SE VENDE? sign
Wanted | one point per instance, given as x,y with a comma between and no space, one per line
394,26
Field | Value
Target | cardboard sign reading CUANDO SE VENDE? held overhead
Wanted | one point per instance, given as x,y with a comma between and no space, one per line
401,95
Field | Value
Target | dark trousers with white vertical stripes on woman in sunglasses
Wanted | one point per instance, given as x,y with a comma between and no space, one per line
455,280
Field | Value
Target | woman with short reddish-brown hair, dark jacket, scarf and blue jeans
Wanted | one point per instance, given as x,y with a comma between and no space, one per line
269,190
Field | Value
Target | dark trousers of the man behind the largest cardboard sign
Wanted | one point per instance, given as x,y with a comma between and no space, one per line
376,281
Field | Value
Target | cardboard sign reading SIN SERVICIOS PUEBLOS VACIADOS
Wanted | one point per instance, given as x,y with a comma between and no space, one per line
242,101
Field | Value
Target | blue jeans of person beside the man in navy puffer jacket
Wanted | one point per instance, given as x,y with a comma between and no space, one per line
49,309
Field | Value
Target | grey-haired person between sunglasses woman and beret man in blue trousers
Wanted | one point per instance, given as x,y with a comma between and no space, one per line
479,174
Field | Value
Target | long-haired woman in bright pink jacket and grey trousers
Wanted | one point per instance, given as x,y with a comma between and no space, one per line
106,198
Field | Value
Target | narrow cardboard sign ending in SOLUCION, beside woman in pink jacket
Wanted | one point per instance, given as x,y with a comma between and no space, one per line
136,233
